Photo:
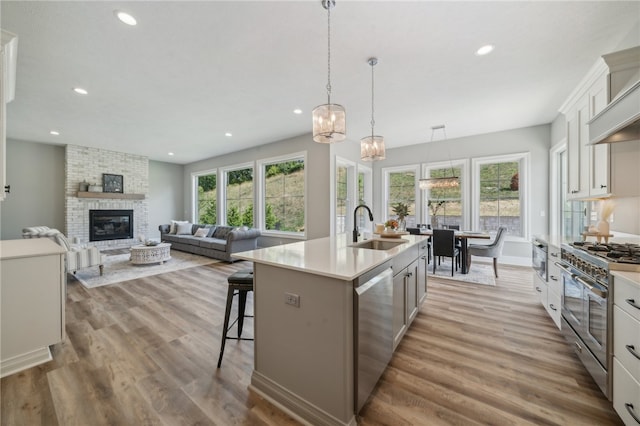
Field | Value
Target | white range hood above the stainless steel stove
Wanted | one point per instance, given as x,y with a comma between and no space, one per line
619,121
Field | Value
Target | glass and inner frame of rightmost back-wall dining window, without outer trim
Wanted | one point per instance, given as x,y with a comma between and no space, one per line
500,203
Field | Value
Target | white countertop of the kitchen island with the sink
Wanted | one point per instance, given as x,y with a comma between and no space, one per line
329,256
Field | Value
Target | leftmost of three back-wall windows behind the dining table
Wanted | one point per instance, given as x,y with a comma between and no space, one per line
400,187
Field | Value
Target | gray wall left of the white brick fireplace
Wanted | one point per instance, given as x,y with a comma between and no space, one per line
35,172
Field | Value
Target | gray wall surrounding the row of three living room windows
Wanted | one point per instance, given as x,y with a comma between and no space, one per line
318,180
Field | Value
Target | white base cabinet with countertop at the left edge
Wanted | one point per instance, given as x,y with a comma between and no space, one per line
32,298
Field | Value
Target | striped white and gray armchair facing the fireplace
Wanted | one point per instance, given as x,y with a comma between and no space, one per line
77,257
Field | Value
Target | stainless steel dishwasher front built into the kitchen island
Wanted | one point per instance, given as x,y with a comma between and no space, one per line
373,303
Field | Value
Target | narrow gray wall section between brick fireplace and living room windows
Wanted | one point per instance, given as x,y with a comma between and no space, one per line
166,196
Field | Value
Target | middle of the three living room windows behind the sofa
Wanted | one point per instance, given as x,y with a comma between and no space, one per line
238,196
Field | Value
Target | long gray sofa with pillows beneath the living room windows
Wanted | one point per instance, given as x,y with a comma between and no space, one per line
215,241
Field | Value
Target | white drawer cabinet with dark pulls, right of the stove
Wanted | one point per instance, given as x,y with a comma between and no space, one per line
626,349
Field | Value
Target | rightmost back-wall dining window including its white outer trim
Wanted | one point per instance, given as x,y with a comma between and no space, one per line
500,193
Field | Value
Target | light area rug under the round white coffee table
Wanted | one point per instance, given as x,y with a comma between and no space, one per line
118,268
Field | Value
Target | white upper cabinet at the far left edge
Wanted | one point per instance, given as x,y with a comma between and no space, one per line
8,56
